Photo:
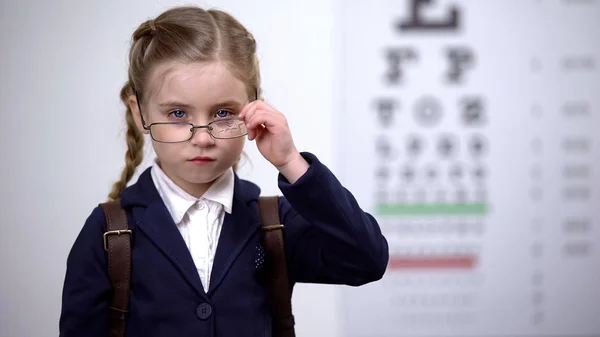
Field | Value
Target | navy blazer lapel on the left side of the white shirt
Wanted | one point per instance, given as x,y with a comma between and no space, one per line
158,225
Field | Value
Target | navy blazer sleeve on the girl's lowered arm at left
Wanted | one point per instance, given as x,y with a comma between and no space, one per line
87,289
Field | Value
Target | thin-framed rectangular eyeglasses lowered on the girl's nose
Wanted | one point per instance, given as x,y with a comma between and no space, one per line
177,132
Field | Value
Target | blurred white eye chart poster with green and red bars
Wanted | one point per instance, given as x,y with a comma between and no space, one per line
470,129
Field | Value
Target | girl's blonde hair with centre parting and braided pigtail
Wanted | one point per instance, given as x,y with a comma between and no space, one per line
185,34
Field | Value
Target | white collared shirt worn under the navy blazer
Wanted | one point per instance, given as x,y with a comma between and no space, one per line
199,220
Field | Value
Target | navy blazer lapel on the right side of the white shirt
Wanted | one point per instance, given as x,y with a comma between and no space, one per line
238,228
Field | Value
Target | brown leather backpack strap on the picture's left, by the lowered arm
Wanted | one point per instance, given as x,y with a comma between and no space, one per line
117,242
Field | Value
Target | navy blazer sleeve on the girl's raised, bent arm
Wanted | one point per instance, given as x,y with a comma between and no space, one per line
329,238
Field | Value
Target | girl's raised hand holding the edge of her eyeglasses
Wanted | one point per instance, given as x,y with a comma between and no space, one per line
270,129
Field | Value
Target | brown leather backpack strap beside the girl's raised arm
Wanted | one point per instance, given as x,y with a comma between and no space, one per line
280,296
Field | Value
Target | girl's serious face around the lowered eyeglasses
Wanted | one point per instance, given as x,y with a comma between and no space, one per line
196,93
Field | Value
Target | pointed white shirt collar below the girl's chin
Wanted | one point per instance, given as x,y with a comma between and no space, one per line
179,201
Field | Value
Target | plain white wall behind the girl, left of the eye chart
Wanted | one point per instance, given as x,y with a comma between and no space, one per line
62,64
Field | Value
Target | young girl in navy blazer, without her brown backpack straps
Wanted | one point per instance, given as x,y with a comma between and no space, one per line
193,87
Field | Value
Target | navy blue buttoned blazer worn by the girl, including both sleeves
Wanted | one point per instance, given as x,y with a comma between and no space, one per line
328,239
